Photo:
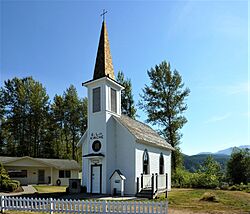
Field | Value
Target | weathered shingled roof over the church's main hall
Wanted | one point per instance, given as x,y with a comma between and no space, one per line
142,132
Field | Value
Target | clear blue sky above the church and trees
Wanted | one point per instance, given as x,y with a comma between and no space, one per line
206,41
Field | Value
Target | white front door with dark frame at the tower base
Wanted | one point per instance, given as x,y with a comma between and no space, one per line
96,178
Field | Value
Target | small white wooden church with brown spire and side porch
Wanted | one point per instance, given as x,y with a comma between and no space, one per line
120,155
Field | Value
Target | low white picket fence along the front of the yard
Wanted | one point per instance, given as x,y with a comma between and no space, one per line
78,206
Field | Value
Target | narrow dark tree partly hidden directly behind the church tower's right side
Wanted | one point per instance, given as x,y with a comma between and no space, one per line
127,101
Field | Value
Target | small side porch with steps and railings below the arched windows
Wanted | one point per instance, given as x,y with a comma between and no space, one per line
149,186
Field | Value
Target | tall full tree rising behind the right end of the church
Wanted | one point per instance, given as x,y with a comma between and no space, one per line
164,102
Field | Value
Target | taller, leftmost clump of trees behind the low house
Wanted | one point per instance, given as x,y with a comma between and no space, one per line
26,107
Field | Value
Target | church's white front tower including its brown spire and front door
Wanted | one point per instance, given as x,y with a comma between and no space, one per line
104,100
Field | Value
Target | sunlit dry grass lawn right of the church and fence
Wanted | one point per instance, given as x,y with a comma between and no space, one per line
188,200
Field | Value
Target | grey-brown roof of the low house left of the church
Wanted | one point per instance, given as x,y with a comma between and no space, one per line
57,163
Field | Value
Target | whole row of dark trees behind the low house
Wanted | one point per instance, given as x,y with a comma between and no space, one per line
33,125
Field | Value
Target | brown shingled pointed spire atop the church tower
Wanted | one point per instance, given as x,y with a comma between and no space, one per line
103,64
